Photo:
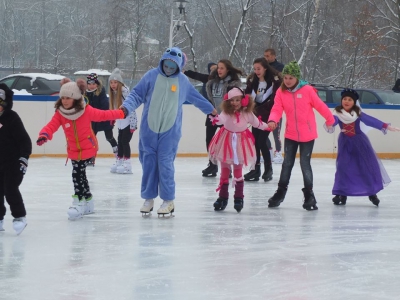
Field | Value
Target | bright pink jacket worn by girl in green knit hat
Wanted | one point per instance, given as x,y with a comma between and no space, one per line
298,106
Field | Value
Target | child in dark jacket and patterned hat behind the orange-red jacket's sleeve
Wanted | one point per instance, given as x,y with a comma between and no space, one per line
97,98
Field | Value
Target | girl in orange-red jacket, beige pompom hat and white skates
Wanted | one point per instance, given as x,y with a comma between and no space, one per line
75,117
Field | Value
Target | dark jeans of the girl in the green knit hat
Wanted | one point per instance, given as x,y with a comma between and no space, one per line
288,162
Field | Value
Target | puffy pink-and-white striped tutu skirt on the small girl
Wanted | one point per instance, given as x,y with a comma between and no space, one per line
233,148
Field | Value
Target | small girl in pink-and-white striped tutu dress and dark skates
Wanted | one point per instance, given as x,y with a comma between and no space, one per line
234,144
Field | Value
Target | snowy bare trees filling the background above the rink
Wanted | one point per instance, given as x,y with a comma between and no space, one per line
340,42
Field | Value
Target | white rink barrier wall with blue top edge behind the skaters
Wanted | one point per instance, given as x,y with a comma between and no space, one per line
36,111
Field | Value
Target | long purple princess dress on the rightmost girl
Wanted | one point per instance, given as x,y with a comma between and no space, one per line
359,172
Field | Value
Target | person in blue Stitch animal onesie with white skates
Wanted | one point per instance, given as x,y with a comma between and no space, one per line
162,90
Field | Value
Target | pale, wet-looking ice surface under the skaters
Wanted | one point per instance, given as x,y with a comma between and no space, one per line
337,252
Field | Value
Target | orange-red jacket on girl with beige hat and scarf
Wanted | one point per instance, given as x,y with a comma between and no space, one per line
81,141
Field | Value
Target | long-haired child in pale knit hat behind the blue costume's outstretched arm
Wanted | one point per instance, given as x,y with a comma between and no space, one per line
126,127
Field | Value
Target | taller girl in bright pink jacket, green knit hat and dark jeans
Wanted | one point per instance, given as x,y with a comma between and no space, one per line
298,100
